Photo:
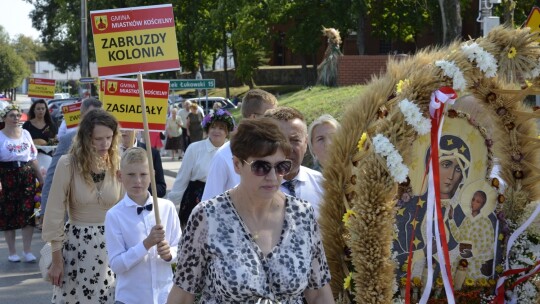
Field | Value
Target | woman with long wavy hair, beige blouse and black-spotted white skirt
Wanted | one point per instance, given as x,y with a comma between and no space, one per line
84,186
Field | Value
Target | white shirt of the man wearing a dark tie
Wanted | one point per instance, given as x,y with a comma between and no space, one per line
308,187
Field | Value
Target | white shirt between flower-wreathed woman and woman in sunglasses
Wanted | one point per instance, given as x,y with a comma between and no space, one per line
221,174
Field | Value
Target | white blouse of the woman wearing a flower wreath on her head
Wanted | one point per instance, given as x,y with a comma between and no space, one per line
195,167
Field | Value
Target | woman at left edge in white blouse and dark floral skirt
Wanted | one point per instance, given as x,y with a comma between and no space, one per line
18,172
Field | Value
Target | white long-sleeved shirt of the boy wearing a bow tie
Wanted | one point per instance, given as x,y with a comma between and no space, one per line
141,275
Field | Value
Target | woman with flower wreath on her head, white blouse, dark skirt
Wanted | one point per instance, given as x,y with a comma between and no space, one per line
189,185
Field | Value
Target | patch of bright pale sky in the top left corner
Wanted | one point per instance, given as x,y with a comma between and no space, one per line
15,19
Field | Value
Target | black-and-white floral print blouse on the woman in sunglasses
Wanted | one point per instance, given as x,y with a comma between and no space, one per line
218,257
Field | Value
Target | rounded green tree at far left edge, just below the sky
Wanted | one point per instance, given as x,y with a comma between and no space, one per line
13,68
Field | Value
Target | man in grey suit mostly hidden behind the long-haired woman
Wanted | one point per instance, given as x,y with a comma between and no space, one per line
64,144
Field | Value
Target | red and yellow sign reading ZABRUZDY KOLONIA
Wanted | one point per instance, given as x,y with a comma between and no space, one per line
133,40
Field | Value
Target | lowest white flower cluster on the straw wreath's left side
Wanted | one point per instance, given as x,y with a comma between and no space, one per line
394,161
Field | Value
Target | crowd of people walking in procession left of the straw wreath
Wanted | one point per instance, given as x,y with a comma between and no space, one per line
245,230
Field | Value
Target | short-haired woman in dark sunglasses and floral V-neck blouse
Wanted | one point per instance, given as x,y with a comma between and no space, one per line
253,244
